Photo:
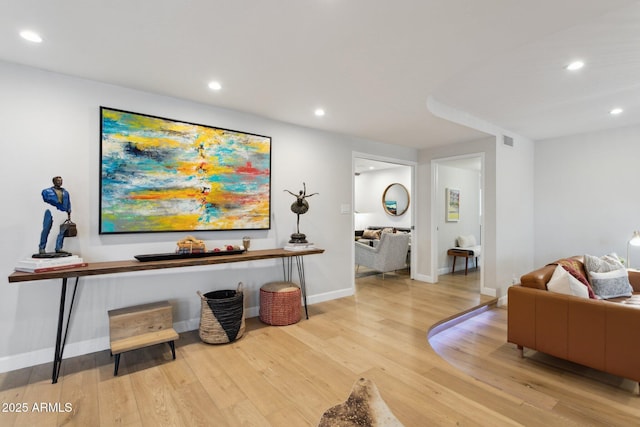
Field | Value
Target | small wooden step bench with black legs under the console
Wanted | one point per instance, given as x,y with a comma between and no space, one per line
132,328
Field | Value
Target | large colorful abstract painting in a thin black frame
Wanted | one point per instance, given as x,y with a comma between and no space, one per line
160,175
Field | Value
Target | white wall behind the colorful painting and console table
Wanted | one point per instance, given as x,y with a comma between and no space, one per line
51,127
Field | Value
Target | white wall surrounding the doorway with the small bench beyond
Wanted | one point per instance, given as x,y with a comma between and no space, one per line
507,241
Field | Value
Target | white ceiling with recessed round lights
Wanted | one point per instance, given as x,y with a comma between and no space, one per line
370,64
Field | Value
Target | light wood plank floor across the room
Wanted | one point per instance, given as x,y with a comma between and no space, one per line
288,376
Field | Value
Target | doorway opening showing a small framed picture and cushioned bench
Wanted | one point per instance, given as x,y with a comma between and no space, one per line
462,176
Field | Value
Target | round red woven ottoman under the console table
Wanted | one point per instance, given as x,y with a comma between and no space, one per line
280,303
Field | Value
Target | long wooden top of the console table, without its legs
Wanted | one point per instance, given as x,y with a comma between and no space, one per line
110,267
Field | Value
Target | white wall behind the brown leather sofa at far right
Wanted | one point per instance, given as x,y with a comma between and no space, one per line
586,194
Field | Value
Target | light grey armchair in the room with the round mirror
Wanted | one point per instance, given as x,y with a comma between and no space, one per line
389,255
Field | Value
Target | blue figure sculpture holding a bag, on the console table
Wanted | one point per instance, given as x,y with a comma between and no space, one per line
60,199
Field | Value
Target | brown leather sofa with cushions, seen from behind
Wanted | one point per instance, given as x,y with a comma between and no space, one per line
600,334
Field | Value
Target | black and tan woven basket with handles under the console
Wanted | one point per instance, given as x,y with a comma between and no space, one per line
222,316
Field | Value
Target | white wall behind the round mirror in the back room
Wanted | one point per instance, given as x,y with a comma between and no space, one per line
368,190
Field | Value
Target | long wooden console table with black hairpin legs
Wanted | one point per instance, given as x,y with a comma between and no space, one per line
114,267
